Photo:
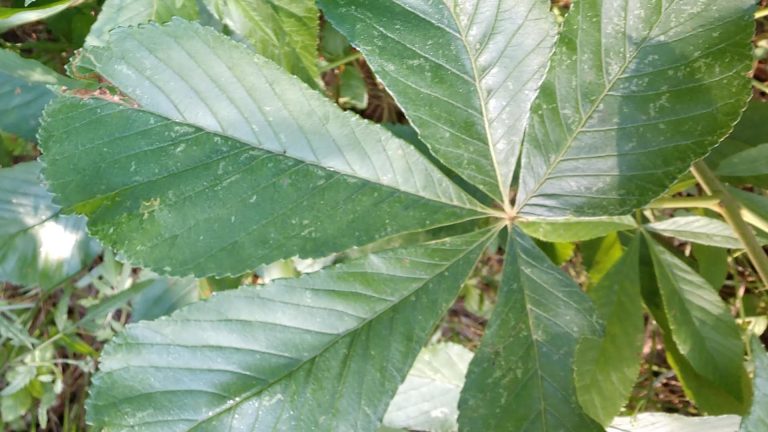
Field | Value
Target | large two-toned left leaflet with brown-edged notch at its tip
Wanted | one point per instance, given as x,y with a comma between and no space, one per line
229,162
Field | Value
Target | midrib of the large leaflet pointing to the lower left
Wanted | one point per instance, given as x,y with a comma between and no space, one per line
246,397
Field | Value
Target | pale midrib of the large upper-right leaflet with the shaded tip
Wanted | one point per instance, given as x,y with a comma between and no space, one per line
598,101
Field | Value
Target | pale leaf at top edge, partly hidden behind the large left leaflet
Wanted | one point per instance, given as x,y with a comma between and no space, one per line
122,13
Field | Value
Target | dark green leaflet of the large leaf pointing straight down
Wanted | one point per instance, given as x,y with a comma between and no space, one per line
521,379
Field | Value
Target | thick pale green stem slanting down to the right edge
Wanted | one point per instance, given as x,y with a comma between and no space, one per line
731,211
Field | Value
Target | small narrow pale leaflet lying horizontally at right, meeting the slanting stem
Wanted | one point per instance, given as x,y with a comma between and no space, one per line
700,229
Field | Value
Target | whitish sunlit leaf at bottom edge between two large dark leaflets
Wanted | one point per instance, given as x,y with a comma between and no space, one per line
428,399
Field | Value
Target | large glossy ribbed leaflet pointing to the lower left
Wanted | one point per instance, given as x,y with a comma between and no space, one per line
323,352
